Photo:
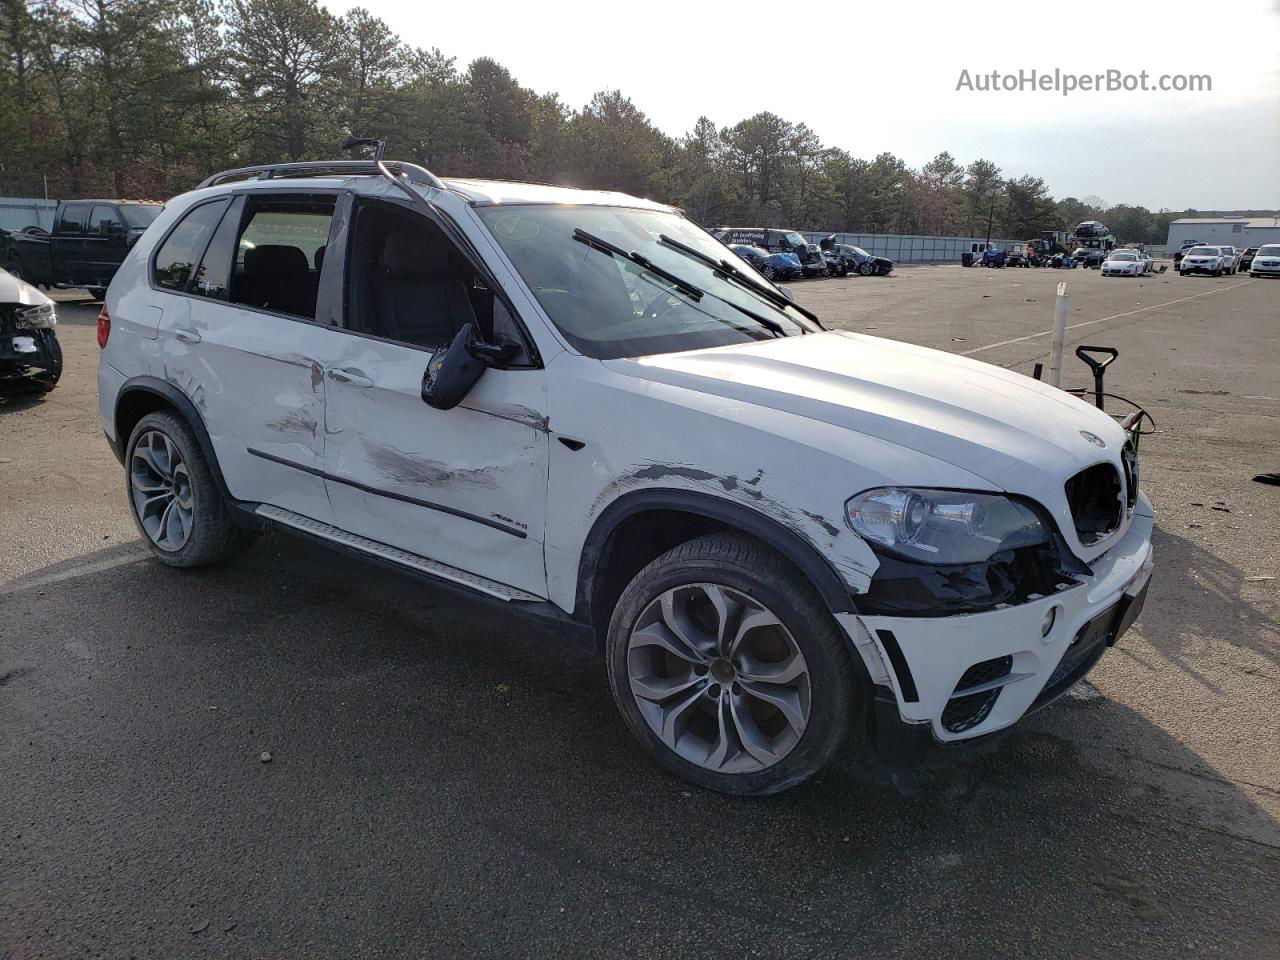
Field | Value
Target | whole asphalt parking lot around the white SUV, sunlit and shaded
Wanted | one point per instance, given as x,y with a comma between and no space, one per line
449,785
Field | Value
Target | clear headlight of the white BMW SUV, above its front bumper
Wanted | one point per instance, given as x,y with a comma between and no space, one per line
943,527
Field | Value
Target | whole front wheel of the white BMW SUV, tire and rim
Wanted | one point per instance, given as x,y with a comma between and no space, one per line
728,668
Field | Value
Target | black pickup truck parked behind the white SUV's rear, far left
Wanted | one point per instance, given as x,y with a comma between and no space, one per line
89,241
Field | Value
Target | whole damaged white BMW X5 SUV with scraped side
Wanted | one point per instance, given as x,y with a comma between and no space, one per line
586,408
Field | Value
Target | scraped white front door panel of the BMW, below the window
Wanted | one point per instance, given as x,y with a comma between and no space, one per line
465,487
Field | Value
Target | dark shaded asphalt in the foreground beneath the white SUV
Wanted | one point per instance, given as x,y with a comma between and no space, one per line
444,781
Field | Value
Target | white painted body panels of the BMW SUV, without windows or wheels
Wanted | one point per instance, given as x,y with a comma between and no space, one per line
788,428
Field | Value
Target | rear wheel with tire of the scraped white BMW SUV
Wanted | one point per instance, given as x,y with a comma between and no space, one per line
176,504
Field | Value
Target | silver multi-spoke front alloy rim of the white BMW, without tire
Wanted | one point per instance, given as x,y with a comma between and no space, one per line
719,679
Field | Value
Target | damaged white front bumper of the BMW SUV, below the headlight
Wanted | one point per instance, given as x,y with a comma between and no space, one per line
944,680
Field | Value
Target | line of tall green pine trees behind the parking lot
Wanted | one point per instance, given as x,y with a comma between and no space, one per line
147,98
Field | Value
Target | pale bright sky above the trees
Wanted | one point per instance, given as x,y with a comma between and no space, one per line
879,77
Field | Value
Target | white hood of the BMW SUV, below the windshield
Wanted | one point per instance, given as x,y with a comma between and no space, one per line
1017,433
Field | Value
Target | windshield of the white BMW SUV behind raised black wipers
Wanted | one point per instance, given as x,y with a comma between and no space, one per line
610,307
